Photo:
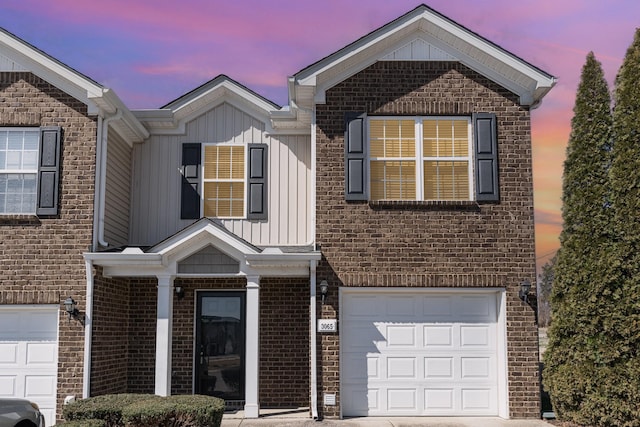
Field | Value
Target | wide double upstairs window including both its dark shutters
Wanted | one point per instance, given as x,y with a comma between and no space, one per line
421,158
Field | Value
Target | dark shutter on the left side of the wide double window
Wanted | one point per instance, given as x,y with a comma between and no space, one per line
355,157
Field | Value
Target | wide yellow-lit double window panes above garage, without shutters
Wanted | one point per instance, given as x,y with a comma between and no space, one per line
421,158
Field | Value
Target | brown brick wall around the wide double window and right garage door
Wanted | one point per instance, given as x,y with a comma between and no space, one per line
426,244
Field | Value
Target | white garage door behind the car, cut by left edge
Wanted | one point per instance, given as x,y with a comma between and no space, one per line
29,355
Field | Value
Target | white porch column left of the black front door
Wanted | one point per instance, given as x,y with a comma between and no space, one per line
163,335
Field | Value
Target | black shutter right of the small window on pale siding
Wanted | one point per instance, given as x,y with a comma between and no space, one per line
257,182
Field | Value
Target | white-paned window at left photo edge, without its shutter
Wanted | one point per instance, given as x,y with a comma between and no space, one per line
18,170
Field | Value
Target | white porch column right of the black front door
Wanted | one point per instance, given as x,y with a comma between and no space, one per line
252,355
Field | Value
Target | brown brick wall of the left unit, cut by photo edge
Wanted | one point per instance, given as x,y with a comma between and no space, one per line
41,258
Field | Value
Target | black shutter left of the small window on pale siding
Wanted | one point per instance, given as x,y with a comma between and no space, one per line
190,192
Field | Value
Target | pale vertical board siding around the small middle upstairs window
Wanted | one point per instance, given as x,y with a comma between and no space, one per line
156,181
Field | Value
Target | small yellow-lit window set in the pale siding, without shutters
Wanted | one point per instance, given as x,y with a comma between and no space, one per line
224,181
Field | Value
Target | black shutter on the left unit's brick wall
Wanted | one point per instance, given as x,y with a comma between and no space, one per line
49,170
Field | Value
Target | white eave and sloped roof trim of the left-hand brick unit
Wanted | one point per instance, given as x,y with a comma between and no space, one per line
18,55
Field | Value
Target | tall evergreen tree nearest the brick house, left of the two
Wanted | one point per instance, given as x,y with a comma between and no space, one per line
580,284
